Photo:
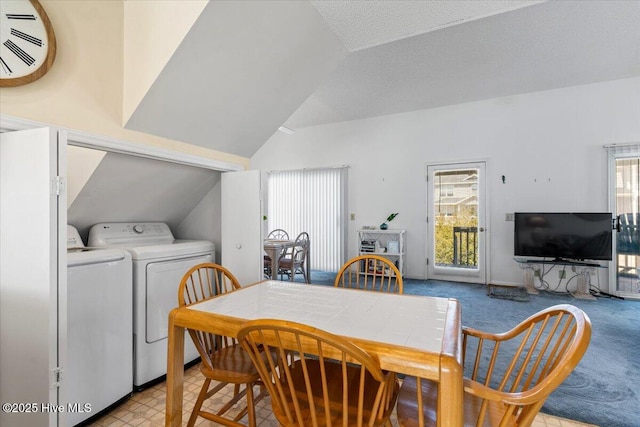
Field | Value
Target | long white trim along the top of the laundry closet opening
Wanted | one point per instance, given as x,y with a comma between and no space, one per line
87,140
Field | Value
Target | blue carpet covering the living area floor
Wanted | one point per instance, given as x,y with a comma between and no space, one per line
605,387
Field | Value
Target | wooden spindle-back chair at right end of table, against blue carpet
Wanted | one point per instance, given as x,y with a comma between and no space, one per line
510,374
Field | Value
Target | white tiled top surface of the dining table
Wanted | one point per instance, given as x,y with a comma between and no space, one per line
374,316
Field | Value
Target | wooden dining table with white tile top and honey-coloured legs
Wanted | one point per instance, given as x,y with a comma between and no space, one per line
411,335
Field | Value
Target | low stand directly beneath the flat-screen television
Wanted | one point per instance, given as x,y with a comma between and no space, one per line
583,270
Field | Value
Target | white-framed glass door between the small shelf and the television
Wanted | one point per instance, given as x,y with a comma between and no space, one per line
456,233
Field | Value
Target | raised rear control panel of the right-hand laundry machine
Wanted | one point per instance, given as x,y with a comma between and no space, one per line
129,233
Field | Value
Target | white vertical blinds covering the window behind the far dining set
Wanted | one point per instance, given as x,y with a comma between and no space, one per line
311,200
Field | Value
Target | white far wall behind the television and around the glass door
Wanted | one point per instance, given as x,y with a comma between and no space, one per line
549,146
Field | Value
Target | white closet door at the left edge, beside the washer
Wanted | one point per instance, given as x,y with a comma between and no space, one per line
32,274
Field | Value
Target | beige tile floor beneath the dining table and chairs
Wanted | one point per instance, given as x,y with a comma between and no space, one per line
146,409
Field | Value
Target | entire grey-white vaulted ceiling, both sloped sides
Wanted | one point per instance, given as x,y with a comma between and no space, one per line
248,67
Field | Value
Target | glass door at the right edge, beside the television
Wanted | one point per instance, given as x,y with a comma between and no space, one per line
625,276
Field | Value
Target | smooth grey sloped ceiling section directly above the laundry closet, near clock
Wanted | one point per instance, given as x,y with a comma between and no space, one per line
239,74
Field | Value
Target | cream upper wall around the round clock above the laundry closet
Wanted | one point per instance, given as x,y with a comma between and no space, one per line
83,90
